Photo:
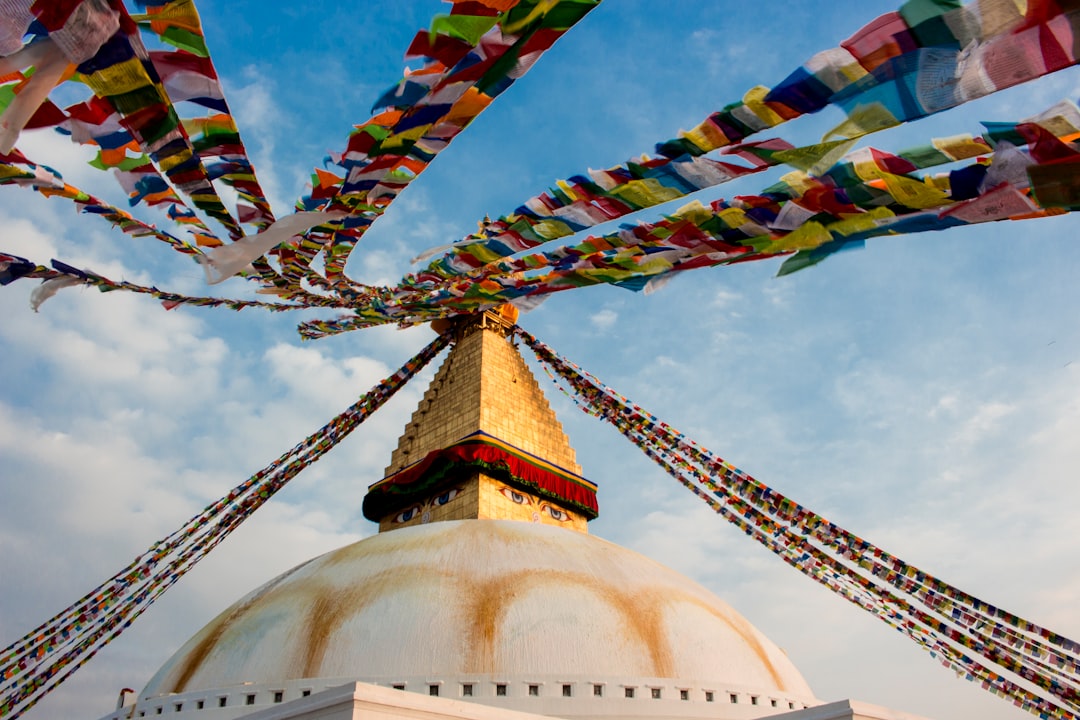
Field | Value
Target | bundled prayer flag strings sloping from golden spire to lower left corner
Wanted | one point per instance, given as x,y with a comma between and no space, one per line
44,658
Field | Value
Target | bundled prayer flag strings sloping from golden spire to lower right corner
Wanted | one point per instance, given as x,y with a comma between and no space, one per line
965,633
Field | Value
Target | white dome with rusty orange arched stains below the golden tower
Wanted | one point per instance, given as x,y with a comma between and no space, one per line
485,600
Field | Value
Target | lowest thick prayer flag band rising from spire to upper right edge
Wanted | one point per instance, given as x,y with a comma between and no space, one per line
863,195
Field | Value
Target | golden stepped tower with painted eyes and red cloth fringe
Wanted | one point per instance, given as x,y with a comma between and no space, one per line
484,444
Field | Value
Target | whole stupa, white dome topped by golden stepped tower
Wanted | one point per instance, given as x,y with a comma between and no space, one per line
482,587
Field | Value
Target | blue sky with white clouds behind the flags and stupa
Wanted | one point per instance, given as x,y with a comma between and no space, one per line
924,393
